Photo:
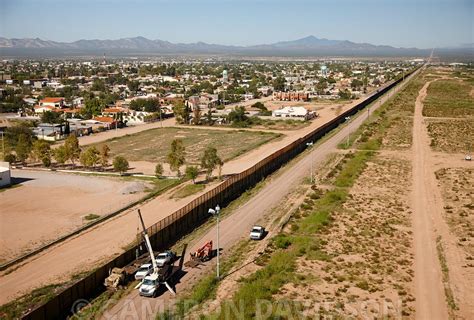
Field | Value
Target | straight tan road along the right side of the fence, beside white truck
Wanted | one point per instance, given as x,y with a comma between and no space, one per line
236,226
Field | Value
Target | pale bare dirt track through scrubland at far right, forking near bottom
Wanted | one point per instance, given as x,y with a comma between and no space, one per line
429,224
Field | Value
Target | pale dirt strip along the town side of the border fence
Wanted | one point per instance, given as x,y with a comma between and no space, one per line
108,239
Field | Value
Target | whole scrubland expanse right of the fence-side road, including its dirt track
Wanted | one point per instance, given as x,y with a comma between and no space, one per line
400,245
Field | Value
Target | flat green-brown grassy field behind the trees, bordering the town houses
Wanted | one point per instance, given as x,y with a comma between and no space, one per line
153,145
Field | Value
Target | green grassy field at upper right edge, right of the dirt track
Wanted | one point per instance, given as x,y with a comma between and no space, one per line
449,98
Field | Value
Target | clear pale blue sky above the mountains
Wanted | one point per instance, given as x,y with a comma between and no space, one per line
407,23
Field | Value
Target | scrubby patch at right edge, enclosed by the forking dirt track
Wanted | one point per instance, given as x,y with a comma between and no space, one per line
458,194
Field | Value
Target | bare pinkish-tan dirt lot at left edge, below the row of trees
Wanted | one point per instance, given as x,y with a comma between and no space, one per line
47,205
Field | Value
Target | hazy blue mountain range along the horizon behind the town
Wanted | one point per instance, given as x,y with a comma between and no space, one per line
308,46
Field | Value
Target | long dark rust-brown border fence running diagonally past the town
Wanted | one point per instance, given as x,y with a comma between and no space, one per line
170,229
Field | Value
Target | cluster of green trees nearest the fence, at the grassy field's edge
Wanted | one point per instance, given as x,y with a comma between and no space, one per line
176,158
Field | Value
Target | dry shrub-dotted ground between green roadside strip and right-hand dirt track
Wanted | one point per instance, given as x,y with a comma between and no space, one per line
363,261
